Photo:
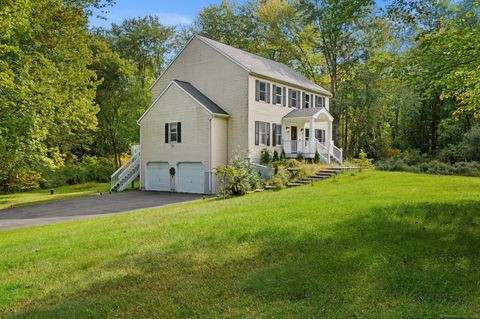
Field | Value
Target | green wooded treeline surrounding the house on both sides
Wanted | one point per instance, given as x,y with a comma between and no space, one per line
405,76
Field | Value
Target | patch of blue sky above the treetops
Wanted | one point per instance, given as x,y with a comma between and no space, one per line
170,12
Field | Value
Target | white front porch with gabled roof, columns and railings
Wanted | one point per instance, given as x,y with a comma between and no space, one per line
308,131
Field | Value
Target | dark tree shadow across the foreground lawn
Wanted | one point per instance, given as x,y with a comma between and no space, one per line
412,260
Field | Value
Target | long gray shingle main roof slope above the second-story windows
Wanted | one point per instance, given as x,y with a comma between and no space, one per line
262,66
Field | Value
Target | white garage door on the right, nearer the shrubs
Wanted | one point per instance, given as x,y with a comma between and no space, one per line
191,178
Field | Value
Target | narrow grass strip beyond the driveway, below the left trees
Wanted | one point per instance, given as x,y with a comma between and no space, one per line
43,195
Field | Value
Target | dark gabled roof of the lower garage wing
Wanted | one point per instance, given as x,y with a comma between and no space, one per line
208,105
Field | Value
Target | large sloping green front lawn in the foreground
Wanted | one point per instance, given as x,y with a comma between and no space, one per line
372,245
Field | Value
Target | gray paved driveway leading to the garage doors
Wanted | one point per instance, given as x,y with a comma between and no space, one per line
87,207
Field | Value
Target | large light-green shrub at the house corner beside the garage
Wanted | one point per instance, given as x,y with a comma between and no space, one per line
237,178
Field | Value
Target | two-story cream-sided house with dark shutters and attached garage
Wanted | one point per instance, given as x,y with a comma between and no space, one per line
214,100
